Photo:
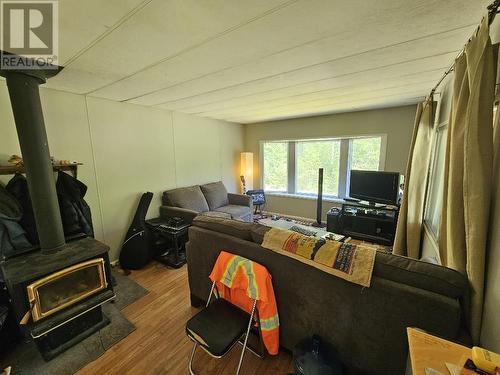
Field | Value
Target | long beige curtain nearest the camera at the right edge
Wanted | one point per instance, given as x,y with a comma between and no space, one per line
468,169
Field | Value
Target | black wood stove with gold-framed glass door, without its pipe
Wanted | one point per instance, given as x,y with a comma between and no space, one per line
62,292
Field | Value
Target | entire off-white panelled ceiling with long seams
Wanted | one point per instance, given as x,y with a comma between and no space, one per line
258,60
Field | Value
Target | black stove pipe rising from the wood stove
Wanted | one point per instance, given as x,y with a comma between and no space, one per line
28,115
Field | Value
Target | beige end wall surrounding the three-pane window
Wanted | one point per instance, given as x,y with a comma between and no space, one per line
396,123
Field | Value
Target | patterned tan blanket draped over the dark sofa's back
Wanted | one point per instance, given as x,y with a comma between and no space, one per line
353,263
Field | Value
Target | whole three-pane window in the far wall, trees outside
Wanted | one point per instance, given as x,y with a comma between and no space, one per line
292,166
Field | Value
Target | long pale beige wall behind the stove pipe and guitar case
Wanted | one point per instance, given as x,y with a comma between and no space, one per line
128,149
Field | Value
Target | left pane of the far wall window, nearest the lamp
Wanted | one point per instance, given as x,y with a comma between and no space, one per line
275,164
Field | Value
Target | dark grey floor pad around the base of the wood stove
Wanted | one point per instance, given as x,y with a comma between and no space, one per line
26,360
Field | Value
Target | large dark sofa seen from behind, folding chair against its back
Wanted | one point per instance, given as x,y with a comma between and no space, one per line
366,326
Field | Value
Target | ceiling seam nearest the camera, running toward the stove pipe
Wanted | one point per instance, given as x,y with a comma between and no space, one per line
196,45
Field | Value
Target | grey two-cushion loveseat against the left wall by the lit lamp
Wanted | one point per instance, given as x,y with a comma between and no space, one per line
210,199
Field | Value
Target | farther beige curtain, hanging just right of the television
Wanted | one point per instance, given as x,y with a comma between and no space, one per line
409,229
